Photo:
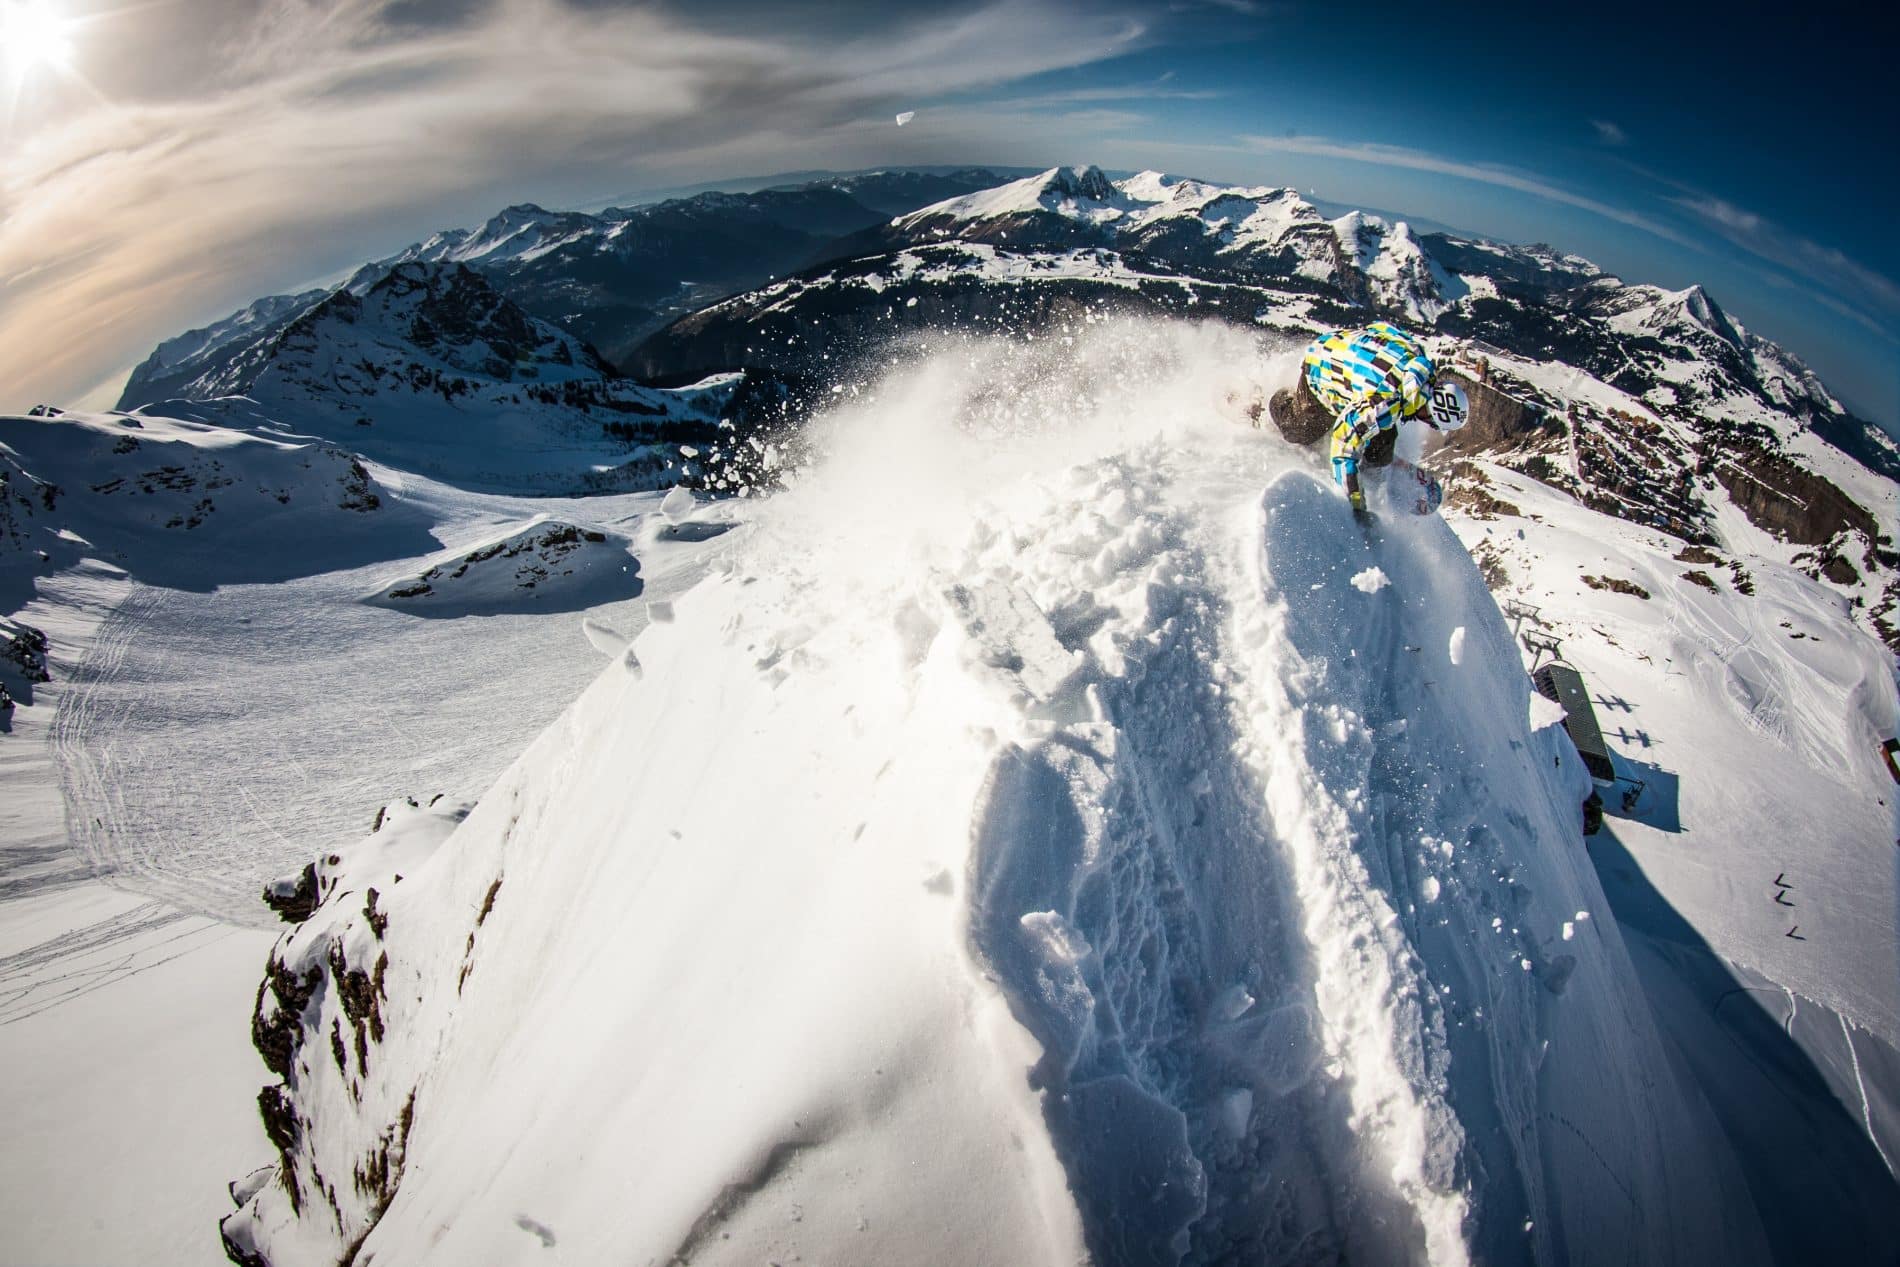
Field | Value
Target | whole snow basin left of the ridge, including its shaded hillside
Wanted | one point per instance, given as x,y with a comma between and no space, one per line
214,738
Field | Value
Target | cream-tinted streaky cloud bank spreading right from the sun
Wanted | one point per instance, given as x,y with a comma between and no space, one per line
337,124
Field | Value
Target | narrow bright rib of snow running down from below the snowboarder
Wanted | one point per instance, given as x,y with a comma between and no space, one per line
1320,728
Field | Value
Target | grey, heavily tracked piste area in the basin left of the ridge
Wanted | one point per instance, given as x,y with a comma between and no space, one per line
212,742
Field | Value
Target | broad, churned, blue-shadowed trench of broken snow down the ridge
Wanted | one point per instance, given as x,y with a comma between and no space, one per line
1168,888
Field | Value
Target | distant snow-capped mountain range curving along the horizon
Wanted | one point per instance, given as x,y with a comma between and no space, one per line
778,293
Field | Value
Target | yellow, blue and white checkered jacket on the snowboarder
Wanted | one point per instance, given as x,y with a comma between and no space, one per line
1369,381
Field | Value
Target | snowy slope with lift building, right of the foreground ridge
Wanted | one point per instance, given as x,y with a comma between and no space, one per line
1757,869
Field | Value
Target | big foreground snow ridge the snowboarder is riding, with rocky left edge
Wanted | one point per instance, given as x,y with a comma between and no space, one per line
1029,848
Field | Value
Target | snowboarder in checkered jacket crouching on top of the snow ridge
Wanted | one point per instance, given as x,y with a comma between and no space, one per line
1359,385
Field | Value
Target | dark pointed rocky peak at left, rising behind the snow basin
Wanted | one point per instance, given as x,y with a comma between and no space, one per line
428,368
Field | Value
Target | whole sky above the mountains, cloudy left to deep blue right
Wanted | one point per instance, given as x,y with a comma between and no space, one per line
181,159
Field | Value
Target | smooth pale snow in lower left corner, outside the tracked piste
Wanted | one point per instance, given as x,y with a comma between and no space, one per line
124,1036
